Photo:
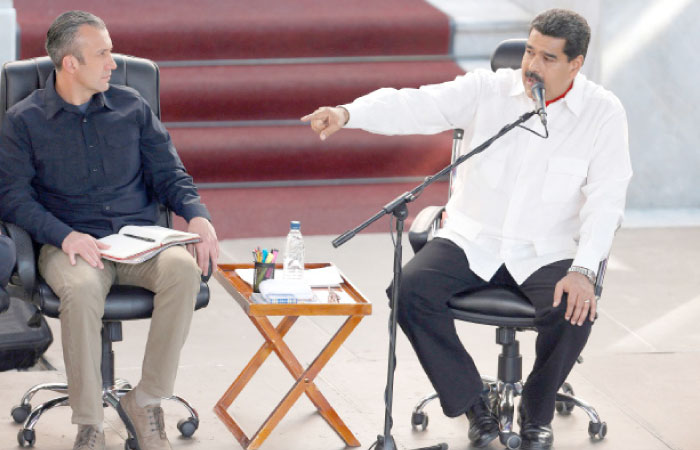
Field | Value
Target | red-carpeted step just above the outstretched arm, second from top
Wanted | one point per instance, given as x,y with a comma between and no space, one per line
286,91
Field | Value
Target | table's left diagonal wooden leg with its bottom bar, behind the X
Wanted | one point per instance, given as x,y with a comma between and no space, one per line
221,407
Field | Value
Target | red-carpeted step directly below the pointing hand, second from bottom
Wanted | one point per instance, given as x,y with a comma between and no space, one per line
268,153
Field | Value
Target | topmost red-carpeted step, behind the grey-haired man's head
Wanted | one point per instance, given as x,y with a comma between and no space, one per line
215,29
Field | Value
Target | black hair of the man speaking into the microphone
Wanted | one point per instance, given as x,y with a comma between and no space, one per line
562,23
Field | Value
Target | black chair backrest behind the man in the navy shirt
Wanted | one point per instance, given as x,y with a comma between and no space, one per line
21,78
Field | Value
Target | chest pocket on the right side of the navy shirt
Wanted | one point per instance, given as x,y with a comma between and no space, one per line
122,156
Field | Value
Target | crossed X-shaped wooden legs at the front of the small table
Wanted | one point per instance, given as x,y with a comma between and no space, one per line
304,383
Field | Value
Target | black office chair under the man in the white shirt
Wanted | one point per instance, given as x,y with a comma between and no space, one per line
502,308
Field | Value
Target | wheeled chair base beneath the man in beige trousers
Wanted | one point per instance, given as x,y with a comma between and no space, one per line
23,413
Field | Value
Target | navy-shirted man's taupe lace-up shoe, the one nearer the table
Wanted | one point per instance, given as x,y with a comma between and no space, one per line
148,424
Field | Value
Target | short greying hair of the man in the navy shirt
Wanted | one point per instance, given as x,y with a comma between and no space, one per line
60,39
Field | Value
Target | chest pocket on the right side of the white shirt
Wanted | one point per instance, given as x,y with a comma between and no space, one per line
564,178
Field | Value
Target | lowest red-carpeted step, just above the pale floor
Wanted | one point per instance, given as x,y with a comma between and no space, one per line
322,210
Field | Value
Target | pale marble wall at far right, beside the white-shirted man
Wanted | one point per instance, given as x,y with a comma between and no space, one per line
651,62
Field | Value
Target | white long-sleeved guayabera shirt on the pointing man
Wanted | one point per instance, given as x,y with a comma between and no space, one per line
525,201
